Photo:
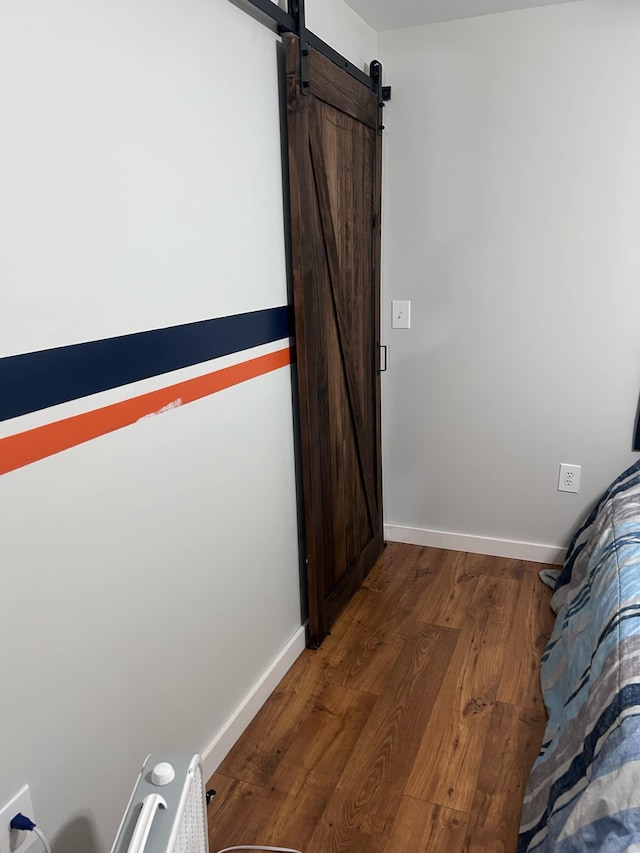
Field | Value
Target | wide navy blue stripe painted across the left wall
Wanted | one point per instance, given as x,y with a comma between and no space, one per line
37,380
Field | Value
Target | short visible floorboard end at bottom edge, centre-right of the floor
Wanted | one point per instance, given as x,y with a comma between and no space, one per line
422,827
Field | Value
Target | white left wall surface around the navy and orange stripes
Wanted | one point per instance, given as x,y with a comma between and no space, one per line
149,577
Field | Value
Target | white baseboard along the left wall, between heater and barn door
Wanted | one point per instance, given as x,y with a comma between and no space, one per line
221,744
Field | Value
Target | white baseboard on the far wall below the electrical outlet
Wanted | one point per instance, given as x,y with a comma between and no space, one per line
475,544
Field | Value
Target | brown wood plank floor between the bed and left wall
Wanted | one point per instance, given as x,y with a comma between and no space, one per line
412,728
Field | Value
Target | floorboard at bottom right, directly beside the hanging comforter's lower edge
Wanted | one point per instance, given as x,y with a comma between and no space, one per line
514,740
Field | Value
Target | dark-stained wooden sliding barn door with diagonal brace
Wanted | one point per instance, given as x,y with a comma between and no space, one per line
335,164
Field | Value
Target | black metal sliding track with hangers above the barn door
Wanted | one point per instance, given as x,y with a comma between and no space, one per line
293,21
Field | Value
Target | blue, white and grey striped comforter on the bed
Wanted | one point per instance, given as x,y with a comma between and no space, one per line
584,789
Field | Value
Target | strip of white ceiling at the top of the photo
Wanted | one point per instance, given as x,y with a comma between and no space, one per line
395,14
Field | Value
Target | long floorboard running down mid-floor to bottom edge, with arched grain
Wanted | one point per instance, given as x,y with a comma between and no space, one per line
360,814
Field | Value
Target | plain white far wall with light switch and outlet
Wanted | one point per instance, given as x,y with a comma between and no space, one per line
512,202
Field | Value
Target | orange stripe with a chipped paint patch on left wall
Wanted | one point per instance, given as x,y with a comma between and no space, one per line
35,444
